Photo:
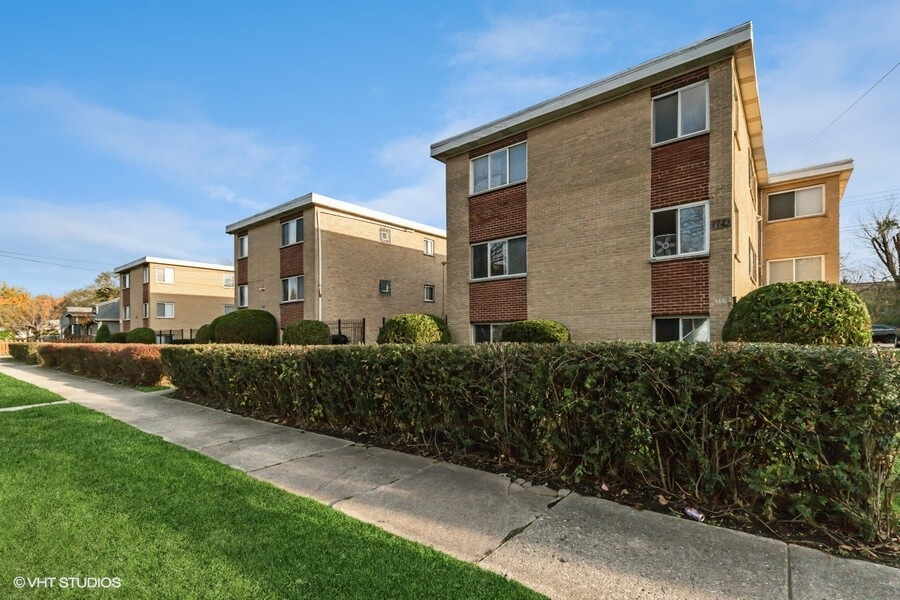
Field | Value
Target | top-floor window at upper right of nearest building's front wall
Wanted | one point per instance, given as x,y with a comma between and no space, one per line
681,113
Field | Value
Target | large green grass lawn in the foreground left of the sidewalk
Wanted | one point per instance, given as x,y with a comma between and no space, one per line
82,495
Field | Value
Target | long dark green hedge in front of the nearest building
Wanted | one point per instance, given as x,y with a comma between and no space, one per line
787,432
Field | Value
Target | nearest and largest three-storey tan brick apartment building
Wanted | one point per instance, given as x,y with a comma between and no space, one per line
637,207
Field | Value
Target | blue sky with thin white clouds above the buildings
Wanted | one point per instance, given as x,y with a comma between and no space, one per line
143,128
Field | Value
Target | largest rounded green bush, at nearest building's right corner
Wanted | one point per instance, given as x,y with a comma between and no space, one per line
801,312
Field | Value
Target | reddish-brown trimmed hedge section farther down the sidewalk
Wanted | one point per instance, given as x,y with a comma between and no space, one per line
128,364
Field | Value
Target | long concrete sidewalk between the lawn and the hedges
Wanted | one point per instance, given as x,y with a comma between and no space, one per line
561,544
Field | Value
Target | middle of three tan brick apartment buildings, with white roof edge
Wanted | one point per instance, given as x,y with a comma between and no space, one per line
320,258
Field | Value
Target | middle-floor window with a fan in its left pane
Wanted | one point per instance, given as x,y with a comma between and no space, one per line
680,231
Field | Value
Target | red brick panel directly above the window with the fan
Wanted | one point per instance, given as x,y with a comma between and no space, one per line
679,172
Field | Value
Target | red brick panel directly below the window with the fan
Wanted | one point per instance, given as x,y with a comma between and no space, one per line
680,287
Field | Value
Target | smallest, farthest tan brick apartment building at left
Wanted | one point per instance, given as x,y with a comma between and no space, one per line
173,295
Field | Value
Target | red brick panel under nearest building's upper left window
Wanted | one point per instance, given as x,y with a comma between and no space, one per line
497,214
